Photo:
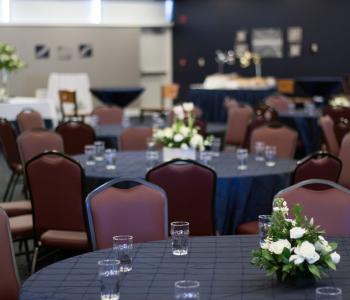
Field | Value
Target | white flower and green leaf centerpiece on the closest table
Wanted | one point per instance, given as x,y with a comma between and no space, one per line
295,249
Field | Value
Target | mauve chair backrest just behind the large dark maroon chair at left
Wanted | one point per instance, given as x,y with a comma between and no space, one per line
33,142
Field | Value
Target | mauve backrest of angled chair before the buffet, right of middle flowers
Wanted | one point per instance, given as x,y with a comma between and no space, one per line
237,124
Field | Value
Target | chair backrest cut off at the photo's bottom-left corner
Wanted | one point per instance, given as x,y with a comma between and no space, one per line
9,280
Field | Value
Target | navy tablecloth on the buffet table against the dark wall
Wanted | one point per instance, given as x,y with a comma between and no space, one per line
211,102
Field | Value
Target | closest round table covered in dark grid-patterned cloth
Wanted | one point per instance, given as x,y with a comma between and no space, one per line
220,264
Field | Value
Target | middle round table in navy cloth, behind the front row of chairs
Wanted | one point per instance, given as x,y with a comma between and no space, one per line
240,195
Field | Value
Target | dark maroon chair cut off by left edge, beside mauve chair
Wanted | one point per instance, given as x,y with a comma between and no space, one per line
11,154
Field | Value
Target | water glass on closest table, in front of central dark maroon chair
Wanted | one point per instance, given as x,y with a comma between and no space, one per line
179,237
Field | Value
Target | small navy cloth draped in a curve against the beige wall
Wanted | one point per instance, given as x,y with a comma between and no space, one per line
121,96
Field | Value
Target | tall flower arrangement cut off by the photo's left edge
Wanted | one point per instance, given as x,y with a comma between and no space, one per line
9,62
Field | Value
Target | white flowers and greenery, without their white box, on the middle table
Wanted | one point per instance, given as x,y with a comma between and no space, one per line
183,133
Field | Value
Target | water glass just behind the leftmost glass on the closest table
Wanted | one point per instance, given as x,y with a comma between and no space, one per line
122,245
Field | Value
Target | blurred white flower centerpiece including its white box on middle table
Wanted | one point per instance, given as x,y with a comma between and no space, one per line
182,138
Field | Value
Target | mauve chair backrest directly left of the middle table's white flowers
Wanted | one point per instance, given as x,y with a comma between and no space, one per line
134,138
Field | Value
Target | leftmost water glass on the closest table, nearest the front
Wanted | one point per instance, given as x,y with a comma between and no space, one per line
108,273
